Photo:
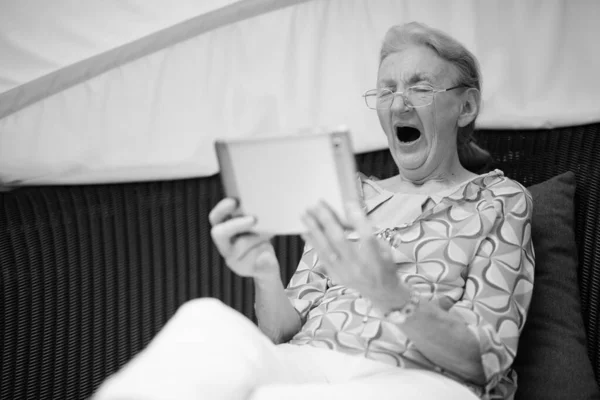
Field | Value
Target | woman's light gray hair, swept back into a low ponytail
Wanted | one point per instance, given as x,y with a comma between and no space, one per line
398,37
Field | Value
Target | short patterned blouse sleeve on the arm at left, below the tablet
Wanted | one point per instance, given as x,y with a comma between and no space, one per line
308,284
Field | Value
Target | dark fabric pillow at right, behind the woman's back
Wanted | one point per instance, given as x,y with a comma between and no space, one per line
552,360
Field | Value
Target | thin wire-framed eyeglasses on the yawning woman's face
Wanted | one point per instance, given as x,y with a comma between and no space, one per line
413,97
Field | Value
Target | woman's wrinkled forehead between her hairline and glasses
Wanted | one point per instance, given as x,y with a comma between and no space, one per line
415,65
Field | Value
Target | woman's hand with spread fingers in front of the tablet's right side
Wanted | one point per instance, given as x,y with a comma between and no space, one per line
368,267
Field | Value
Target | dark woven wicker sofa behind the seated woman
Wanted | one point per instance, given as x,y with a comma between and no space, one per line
91,273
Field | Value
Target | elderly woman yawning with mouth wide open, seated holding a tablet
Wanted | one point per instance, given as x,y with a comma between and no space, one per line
424,298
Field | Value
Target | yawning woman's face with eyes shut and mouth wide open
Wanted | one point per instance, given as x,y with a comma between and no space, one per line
422,140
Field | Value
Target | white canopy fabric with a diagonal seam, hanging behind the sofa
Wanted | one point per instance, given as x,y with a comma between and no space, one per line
118,90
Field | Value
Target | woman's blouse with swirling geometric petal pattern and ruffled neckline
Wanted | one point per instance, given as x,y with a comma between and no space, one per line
472,244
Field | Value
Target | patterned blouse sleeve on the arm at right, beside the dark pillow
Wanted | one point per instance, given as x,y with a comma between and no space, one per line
500,282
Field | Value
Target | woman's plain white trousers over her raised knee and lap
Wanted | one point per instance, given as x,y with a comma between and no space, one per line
210,351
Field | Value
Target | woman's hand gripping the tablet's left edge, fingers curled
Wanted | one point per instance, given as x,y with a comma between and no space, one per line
246,252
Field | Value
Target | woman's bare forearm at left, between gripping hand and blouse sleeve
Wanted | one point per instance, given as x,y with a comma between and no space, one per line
277,318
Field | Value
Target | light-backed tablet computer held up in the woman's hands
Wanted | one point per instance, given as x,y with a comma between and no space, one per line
278,178
